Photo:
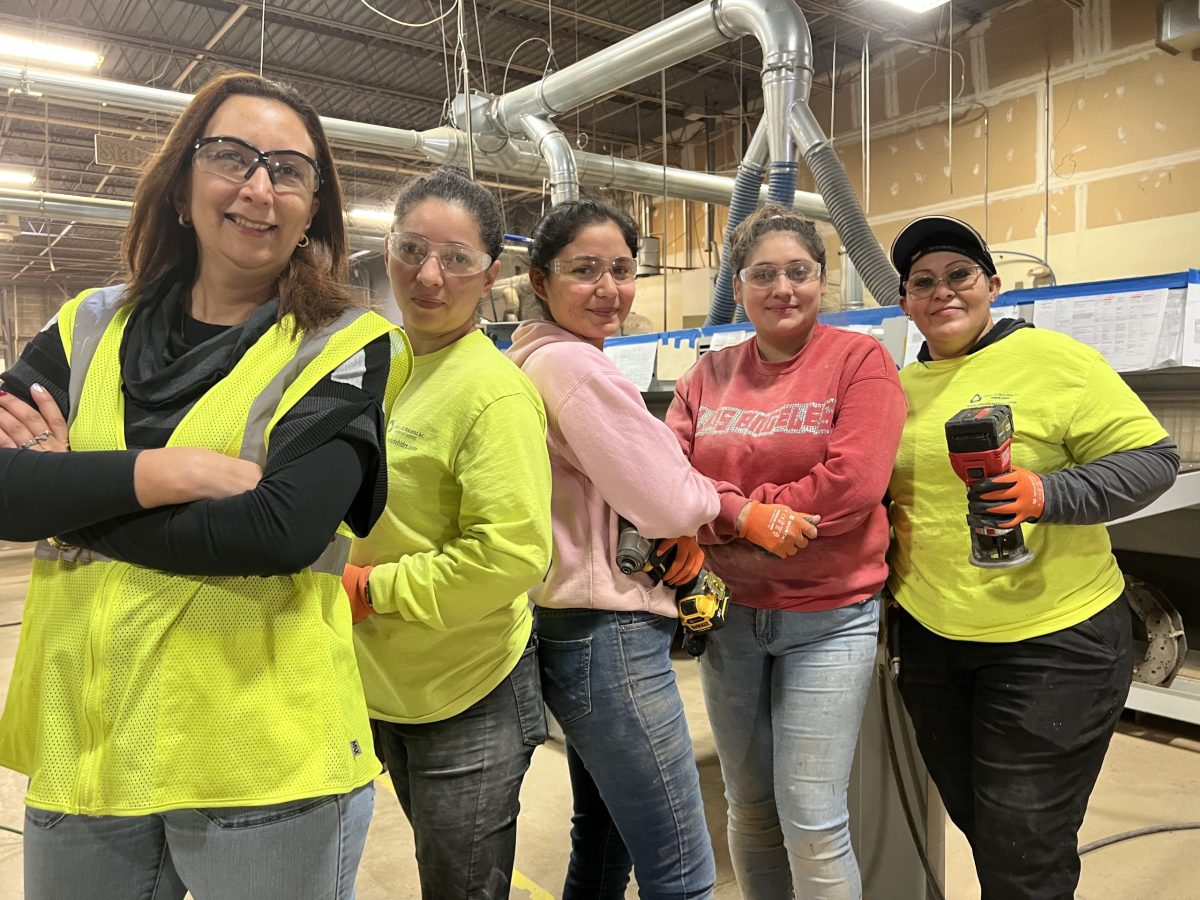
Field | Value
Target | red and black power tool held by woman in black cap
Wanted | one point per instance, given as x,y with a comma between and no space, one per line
981,445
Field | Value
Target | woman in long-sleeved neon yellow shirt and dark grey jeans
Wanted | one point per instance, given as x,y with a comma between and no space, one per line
445,634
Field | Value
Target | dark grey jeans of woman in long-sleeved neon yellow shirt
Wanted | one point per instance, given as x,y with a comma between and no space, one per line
459,783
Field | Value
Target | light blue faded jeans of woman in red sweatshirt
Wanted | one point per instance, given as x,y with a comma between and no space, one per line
785,694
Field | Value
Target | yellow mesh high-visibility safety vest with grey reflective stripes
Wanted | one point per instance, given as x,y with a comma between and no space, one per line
137,691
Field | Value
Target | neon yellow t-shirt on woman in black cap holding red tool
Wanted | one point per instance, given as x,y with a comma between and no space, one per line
1069,409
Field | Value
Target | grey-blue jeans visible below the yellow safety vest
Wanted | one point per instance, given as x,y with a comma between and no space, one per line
305,850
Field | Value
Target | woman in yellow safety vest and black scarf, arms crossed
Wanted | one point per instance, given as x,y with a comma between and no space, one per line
185,699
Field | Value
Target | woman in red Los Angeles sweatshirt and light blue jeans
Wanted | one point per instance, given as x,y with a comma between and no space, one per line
796,428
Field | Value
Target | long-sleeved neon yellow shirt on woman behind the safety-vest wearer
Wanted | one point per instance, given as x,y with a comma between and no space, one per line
465,536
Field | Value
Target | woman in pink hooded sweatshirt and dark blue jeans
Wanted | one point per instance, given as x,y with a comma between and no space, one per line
605,638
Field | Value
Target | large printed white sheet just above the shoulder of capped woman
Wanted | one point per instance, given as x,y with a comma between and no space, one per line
1125,328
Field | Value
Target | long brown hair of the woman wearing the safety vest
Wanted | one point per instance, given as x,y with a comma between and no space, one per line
313,286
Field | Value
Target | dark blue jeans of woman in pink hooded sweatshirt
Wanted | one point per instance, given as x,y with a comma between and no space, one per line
608,680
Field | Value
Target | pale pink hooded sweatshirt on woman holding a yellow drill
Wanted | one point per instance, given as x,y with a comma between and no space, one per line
609,457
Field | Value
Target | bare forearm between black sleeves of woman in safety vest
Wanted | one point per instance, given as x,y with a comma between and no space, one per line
182,475
